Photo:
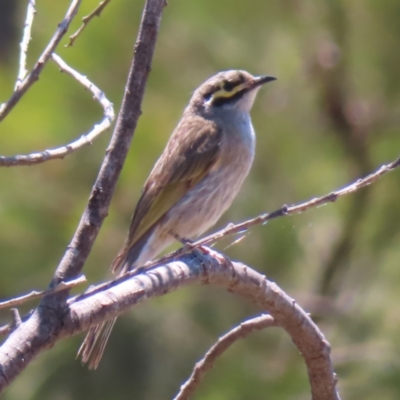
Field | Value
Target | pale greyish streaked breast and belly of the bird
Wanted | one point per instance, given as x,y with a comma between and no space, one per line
203,205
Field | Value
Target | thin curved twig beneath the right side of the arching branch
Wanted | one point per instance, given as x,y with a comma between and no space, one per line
207,362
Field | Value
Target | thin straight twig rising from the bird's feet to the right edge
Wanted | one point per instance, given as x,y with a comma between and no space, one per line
284,211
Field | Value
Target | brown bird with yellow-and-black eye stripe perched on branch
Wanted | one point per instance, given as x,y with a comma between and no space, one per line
195,180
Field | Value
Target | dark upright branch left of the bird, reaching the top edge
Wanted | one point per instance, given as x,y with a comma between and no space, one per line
100,197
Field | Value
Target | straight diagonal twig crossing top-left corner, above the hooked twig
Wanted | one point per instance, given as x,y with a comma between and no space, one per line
33,76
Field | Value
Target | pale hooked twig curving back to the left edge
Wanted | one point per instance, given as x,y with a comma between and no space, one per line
84,140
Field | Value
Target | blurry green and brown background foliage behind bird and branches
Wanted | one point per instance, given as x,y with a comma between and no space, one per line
332,116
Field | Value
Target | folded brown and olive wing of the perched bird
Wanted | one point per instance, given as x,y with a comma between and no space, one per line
190,153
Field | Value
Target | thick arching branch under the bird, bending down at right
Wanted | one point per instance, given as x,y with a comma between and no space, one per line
38,334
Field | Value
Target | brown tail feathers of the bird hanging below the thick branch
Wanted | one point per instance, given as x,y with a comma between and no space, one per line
92,348
